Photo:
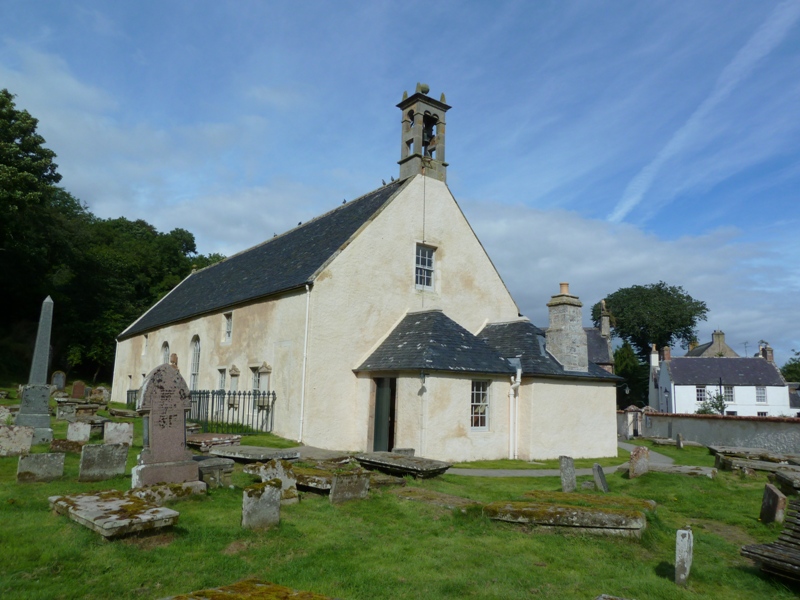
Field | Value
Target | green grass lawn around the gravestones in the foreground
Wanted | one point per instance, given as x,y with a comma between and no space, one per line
386,547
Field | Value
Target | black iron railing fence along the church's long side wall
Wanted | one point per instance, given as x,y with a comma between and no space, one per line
220,411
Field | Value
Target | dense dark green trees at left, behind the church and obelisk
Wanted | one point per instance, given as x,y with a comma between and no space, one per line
101,273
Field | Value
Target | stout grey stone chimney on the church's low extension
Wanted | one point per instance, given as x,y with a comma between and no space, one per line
566,339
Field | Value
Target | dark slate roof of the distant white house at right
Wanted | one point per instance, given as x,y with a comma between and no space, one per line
732,371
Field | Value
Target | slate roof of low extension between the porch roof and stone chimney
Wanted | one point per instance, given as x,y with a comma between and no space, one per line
525,340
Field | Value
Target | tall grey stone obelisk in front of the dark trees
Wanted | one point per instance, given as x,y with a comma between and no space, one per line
33,409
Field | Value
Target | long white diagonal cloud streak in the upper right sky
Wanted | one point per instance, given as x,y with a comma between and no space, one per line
764,40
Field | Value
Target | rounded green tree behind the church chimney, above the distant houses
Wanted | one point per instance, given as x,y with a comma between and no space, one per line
656,313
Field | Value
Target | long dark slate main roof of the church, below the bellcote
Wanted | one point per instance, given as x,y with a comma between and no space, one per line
282,263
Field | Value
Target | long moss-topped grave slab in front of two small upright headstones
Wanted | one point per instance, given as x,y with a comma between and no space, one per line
601,521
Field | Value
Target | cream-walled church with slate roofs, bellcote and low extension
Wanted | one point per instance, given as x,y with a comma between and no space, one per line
383,323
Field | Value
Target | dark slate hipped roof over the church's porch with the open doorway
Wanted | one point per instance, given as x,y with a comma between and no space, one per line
432,341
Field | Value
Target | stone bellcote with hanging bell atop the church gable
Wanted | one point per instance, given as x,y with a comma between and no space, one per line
422,140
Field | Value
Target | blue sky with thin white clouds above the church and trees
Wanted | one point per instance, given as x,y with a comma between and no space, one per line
602,143
